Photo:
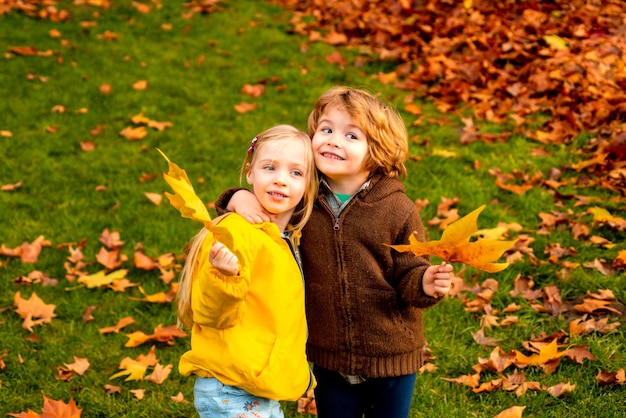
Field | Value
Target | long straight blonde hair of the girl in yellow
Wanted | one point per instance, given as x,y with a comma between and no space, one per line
299,218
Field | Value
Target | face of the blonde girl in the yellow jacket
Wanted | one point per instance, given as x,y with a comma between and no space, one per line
278,175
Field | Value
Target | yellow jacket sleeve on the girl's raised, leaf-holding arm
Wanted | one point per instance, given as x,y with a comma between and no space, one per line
217,300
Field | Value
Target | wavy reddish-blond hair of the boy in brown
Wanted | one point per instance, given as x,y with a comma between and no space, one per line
386,132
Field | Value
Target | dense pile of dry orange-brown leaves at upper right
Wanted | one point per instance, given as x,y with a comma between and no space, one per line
502,62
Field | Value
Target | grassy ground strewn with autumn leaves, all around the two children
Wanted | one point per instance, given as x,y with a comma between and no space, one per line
542,80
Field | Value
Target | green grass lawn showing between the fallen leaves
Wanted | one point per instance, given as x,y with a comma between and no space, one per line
195,73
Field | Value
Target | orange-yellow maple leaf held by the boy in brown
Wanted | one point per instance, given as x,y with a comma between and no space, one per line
455,245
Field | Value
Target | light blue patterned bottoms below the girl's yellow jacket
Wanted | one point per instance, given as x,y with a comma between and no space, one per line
213,399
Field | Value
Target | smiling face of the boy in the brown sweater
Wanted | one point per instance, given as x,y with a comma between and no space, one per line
340,149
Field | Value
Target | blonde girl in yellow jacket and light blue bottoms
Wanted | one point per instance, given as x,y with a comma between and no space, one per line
244,299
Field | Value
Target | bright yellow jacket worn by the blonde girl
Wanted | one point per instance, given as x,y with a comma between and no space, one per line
250,330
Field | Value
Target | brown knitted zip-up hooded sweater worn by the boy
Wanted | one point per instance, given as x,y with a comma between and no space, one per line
364,300
